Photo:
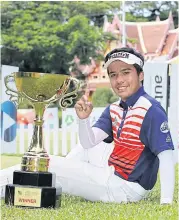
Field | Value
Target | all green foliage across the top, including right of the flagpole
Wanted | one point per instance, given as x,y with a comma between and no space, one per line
45,36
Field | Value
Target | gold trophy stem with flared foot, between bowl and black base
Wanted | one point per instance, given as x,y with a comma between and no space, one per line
36,158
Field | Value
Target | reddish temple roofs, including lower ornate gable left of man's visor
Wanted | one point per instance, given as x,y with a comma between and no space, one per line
154,39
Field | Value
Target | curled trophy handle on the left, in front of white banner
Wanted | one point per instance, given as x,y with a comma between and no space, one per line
9,91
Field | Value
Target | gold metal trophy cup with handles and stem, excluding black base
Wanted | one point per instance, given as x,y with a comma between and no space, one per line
41,89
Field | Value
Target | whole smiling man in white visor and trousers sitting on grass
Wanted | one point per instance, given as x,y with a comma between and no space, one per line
137,126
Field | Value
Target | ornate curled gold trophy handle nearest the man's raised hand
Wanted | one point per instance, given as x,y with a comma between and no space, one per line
67,99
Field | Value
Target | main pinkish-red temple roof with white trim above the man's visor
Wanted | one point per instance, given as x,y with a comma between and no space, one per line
153,39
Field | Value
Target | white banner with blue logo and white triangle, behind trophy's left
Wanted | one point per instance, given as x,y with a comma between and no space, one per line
8,112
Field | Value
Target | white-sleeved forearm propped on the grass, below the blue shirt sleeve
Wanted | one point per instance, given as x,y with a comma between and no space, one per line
167,176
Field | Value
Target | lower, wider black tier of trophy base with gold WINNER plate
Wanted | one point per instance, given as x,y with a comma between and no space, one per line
32,196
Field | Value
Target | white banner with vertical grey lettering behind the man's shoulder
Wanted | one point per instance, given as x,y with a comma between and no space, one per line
155,81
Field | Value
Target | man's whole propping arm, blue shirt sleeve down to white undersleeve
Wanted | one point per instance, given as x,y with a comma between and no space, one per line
160,143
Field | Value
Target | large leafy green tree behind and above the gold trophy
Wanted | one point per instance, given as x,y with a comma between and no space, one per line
45,36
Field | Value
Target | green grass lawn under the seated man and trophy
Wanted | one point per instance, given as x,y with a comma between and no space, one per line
75,208
